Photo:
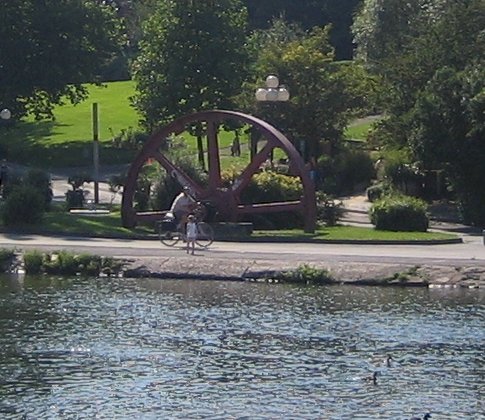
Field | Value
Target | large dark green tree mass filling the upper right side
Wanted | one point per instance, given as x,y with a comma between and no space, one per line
432,70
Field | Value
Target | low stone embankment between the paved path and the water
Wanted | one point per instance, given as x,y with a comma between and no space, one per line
356,273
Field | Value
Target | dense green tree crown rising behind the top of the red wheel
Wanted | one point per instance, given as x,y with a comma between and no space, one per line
192,57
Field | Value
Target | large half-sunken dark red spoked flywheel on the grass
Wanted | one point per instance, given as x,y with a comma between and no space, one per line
226,200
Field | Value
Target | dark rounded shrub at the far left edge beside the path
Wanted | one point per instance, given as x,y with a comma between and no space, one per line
24,205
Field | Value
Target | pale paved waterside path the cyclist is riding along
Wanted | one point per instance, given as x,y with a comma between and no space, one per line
471,251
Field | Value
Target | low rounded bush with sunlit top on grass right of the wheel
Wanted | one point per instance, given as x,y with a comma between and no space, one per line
400,213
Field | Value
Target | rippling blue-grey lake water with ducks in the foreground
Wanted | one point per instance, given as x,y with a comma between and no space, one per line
155,349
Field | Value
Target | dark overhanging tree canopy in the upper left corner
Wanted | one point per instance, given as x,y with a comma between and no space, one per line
49,48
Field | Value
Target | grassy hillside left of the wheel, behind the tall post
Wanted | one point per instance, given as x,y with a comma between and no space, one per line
67,141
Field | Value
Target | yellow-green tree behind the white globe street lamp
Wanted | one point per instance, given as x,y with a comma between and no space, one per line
324,93
